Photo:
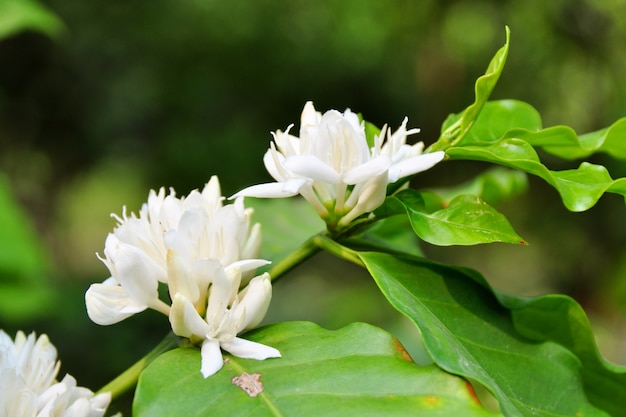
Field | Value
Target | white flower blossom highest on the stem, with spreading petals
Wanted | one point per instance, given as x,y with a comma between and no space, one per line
332,166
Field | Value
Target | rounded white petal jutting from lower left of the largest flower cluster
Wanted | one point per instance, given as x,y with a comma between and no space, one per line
109,304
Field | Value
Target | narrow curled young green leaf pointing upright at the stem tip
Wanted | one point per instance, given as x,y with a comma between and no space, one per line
458,126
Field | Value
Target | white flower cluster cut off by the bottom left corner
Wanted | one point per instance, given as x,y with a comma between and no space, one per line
28,384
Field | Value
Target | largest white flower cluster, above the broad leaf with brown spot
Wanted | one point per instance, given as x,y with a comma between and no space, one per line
206,253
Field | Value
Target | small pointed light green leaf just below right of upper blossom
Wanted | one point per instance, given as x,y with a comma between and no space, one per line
467,220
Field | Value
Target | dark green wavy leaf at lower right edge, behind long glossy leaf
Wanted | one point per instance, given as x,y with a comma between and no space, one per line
560,319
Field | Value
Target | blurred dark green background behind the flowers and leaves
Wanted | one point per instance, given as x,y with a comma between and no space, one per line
100,101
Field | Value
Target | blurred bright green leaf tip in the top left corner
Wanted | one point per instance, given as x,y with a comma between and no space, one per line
19,15
